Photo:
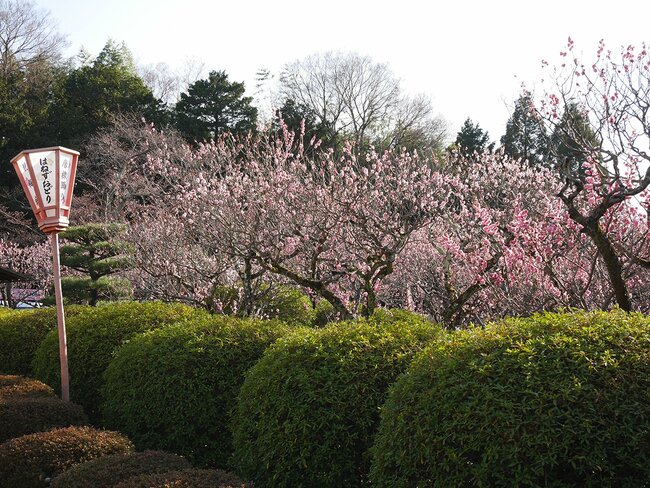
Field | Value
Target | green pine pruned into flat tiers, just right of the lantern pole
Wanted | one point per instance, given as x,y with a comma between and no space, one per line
95,251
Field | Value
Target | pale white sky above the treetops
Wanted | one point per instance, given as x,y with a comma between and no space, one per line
469,56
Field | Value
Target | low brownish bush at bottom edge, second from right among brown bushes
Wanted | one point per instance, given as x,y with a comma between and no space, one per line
107,471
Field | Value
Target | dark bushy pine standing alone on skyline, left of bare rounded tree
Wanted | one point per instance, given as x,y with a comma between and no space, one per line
214,106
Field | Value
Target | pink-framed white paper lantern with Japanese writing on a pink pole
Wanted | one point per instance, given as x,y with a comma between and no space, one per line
47,177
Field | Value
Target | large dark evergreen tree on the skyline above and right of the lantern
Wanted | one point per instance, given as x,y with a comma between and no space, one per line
89,95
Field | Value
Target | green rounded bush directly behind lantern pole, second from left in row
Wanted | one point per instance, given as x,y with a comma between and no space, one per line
93,336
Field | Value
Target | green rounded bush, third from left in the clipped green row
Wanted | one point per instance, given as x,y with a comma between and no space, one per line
174,388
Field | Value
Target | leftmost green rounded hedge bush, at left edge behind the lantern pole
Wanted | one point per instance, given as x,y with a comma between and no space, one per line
21,332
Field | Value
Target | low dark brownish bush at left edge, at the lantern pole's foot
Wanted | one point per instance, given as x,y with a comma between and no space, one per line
21,416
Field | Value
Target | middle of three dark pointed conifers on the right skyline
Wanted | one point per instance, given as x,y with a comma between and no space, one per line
526,137
